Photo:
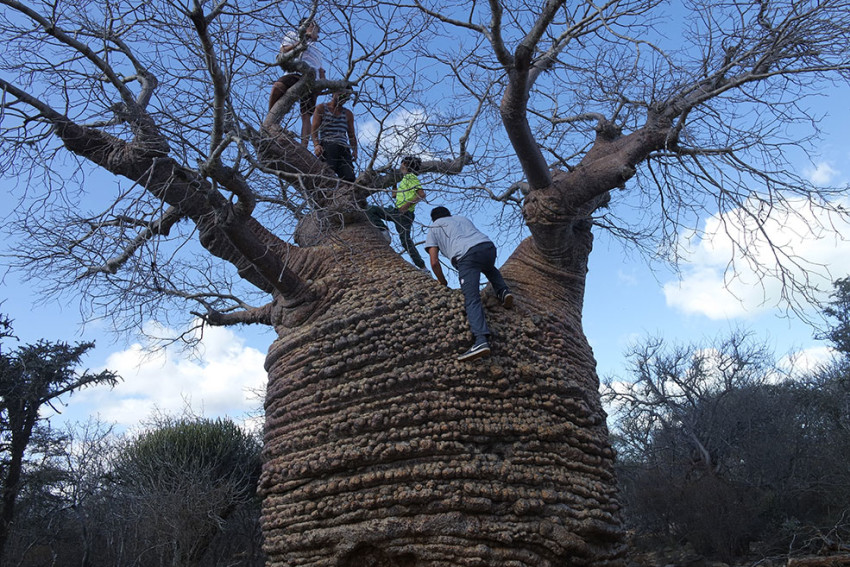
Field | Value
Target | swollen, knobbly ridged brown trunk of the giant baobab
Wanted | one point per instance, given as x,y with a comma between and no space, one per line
382,449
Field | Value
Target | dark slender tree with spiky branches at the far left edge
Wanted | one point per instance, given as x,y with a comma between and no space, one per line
32,377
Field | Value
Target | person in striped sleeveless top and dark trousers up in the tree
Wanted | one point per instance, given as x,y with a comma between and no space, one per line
334,139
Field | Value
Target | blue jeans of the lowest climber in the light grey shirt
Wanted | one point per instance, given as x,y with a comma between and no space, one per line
480,259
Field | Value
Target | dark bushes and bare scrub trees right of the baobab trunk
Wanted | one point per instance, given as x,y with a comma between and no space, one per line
721,448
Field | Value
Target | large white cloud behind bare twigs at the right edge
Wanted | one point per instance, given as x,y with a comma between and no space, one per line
720,282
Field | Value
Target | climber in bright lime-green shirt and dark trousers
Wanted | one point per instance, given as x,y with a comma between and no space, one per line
405,195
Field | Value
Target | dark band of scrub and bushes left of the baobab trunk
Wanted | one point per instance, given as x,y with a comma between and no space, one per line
182,493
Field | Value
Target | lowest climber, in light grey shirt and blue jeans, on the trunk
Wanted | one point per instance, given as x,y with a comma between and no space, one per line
472,254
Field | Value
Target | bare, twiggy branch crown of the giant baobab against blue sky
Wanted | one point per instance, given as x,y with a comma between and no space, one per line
540,110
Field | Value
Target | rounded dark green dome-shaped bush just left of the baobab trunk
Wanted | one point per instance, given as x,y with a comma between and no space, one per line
180,482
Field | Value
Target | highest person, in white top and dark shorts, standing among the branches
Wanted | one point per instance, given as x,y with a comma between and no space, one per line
310,55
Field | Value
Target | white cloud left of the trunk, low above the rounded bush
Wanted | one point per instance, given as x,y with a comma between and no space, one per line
223,380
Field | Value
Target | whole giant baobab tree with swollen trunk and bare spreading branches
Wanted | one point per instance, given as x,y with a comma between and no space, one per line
380,447
